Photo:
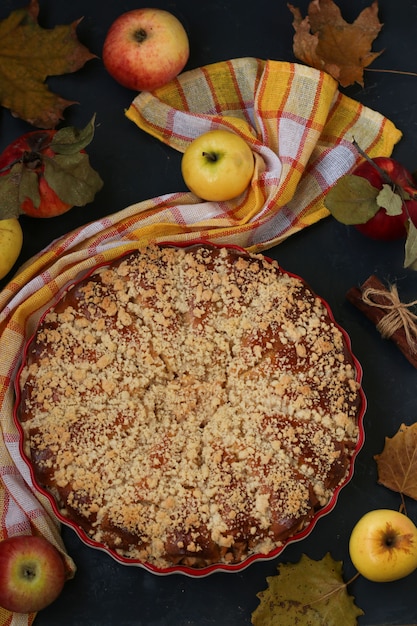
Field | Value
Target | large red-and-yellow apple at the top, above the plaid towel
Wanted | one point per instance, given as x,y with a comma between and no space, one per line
145,48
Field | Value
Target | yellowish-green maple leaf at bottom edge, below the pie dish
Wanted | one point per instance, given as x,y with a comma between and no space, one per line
308,592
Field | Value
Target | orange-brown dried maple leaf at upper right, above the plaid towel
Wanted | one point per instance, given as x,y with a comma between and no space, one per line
324,40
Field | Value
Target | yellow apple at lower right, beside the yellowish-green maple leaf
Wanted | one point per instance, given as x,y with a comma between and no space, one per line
383,545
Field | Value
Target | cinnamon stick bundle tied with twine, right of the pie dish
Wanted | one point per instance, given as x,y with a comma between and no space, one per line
392,318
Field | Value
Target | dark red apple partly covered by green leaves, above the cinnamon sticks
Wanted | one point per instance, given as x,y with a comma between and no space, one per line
382,225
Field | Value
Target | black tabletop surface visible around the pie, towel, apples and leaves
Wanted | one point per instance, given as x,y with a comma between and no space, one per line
331,257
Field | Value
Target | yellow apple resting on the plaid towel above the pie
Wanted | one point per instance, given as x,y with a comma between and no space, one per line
217,165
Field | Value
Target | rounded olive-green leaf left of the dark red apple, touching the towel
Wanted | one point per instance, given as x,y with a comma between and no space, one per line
352,200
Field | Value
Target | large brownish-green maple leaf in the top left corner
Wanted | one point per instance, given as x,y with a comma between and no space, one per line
22,72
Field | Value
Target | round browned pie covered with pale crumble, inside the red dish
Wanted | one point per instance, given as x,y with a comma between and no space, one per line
189,405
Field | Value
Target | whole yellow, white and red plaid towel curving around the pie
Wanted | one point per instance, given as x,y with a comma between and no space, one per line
300,128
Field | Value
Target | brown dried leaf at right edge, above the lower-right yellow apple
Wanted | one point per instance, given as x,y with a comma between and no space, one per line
397,463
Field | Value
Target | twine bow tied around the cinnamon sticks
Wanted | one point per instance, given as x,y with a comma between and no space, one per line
398,314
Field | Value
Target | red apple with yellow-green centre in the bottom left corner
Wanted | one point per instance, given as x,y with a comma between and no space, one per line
32,573
